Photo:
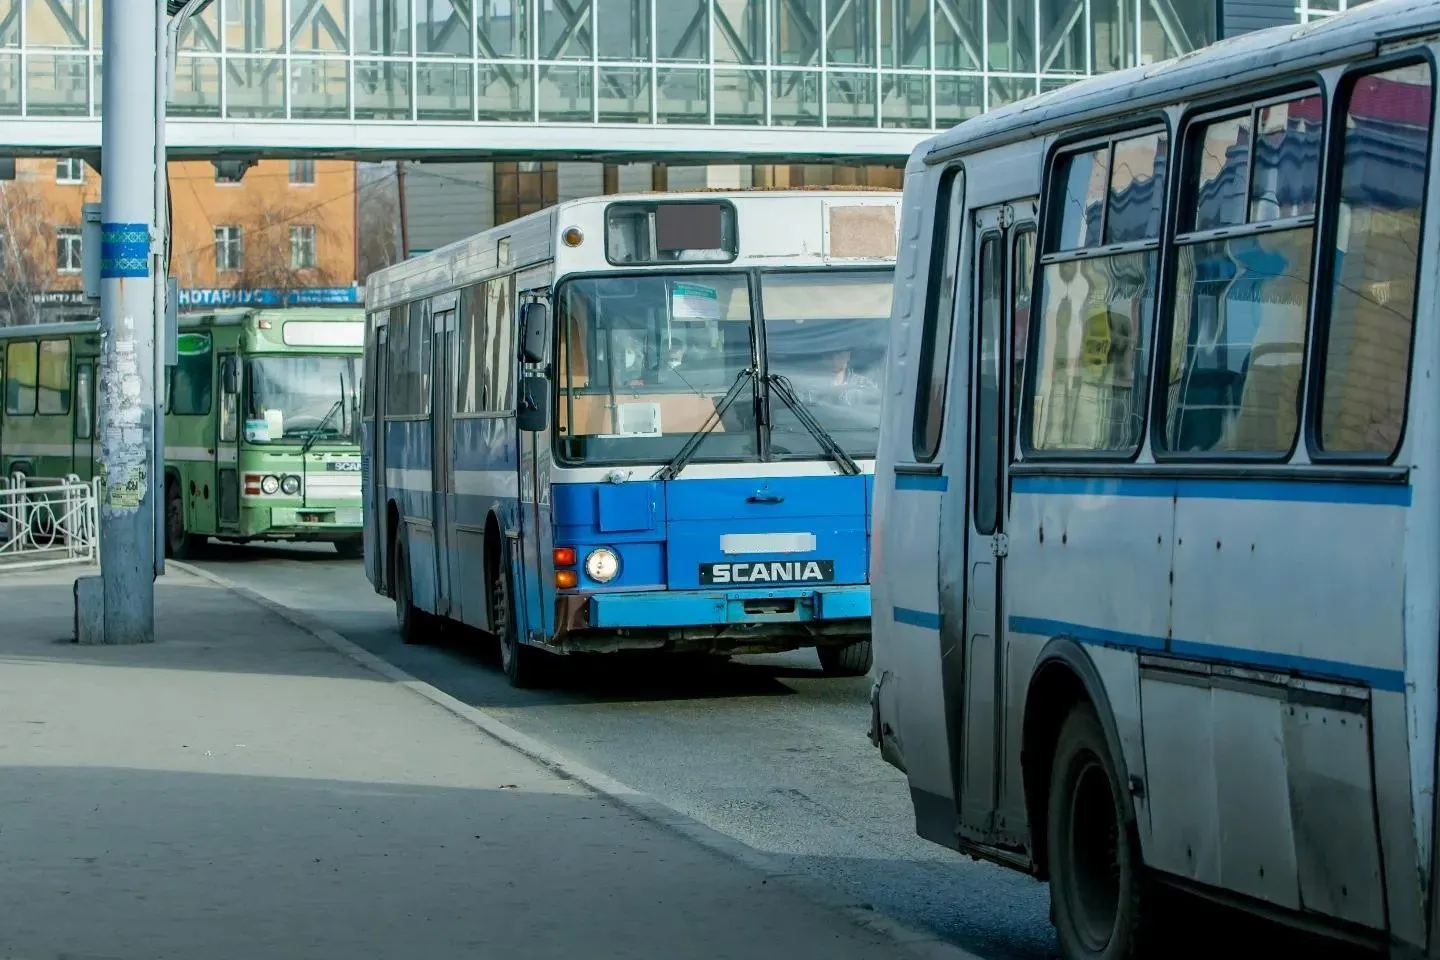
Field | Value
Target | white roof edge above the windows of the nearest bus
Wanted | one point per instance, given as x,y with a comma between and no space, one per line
1243,60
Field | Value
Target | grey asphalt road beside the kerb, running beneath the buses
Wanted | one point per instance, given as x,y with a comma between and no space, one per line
762,749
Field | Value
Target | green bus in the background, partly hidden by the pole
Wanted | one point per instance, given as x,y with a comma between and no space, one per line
263,422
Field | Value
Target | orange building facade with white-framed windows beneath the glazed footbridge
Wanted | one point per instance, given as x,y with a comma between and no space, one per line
289,225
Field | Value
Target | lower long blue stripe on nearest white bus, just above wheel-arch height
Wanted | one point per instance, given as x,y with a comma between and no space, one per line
1373,677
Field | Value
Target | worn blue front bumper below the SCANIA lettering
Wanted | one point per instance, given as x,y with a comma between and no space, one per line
721,621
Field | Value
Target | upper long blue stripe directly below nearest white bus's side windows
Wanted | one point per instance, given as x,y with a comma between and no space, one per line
1259,490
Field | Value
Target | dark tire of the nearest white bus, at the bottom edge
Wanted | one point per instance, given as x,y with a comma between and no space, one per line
1099,895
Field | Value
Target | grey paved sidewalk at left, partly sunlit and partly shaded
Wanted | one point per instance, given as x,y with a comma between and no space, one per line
241,791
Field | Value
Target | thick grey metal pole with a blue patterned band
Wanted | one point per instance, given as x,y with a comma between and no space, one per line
127,516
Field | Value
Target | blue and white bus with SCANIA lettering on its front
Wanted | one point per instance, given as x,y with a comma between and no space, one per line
634,422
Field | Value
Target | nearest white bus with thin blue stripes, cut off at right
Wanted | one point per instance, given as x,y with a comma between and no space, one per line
1157,571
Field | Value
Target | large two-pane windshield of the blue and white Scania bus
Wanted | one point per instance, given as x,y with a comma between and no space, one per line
644,362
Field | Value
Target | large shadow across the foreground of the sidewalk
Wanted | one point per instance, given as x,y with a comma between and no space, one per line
136,863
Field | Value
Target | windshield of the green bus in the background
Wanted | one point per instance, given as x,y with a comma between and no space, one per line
297,398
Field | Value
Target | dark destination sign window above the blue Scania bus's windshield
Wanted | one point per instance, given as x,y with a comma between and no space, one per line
688,232
